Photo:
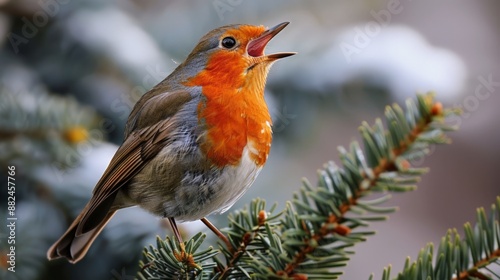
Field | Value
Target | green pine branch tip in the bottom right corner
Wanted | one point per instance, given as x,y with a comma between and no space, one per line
457,258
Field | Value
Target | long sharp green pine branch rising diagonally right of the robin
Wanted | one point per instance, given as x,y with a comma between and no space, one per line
321,213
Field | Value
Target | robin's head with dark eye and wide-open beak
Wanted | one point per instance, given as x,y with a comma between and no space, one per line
234,54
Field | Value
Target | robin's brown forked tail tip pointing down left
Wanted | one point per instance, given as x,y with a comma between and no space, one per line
73,246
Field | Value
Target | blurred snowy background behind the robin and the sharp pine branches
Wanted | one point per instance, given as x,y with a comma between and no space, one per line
71,70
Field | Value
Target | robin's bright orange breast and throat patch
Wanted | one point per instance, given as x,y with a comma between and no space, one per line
234,110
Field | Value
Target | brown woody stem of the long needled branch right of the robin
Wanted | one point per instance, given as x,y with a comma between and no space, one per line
332,224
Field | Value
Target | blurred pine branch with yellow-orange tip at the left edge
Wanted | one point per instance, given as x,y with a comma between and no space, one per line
42,128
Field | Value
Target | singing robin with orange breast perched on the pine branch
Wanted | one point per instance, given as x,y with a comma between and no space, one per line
193,144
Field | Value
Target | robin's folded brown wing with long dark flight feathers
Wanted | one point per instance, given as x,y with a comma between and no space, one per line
151,127
